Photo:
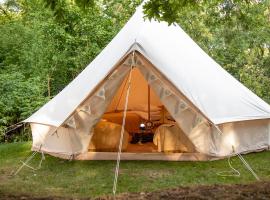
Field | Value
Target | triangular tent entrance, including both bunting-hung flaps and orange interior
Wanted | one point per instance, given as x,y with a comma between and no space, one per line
95,126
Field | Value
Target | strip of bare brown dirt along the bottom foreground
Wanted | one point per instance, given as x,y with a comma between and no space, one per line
258,190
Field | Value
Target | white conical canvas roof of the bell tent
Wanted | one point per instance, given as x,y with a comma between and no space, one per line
218,95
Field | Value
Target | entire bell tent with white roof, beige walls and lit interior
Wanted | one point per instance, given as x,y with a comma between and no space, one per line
197,110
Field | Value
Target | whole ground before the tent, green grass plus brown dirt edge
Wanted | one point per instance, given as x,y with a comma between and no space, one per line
137,180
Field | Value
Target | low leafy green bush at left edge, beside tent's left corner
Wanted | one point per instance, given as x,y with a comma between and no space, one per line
20,98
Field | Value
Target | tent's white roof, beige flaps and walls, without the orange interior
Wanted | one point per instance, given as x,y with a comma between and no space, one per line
221,111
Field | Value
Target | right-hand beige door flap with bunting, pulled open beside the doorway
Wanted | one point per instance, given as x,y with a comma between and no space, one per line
185,114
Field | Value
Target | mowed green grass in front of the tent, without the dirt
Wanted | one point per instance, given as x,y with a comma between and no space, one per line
95,178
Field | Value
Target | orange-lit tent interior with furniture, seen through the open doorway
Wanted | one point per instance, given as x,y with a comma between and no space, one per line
148,128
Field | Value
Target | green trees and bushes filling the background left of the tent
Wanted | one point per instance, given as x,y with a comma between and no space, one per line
40,53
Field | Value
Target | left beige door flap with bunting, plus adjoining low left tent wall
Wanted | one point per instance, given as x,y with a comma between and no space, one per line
74,135
